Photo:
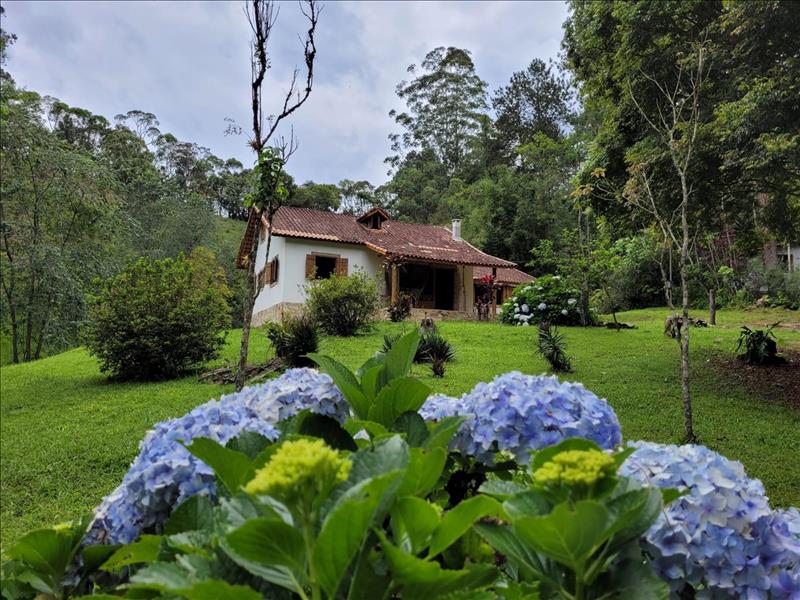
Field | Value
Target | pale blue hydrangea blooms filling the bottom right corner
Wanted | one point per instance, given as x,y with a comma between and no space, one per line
721,537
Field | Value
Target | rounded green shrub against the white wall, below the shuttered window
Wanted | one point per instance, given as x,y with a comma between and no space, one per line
343,305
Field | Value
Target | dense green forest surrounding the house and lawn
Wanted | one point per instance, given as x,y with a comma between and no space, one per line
558,170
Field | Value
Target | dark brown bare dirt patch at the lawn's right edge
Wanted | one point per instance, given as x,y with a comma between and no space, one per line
778,383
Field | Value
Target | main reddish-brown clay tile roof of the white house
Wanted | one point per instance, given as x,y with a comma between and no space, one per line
395,239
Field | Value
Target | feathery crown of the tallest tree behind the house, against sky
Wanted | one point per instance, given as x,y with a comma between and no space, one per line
446,100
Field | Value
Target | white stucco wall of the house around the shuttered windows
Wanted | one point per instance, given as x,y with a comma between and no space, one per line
291,253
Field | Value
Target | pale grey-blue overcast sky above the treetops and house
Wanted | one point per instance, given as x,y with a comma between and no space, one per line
188,63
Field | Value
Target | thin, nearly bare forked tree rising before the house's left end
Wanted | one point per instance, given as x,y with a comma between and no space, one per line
271,188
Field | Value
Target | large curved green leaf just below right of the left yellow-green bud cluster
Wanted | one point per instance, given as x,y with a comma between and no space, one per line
346,526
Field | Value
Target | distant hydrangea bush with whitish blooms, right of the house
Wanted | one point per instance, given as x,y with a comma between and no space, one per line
548,299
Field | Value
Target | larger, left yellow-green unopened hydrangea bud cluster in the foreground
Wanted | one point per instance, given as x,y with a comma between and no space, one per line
297,466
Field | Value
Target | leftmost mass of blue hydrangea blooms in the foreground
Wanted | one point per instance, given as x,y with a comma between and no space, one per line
164,474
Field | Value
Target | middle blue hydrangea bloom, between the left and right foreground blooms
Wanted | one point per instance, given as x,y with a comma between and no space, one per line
518,413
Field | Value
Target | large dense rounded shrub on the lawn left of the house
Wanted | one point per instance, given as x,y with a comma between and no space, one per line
159,318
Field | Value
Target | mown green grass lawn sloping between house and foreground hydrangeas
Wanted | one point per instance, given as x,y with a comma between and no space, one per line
67,435
